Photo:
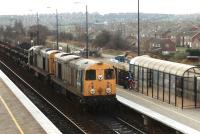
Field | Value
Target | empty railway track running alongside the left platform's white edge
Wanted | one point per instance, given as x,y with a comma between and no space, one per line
50,110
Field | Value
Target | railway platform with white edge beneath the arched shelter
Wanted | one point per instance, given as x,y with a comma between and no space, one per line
182,120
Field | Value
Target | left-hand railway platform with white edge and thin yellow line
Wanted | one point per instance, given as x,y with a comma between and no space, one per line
18,114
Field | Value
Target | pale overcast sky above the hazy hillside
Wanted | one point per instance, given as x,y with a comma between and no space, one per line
22,7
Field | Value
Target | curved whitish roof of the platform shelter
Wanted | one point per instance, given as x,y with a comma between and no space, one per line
174,68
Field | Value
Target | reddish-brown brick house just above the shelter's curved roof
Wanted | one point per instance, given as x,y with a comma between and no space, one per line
163,45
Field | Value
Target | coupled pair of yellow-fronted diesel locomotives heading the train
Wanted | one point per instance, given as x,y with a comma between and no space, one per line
88,80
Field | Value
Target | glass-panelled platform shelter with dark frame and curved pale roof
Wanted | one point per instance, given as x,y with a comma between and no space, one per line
175,83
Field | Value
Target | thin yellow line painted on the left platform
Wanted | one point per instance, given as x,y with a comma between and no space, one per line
11,115
